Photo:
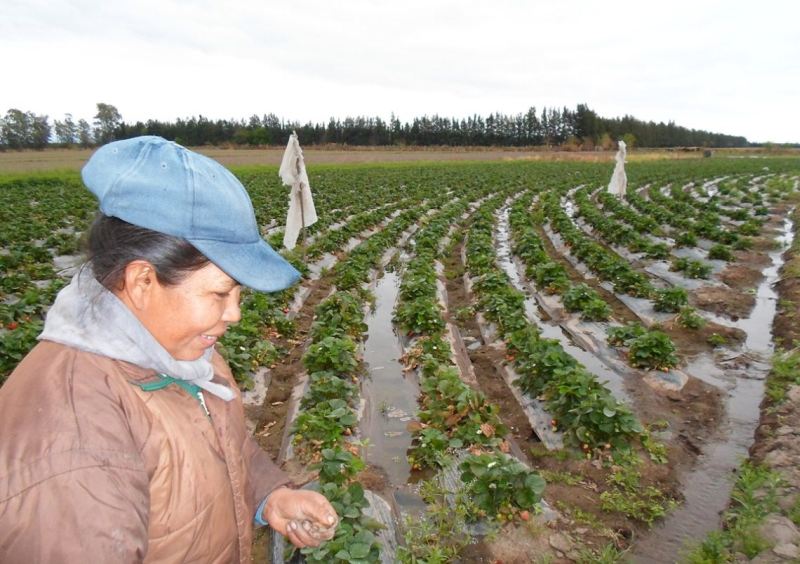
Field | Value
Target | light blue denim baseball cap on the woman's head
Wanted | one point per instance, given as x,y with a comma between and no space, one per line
159,185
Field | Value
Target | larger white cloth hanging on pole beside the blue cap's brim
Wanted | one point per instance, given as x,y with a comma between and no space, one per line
293,173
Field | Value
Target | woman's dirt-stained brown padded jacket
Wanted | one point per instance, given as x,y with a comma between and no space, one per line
95,469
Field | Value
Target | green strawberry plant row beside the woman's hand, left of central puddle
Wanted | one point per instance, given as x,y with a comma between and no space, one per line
324,422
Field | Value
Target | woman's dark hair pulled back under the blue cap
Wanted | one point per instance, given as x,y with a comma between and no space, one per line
112,244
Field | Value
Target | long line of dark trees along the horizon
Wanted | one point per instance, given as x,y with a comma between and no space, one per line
580,128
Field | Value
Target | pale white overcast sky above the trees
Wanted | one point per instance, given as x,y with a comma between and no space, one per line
724,66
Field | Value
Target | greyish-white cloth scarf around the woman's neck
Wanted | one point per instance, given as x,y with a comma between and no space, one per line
88,317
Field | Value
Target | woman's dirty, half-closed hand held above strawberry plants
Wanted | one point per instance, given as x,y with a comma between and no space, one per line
305,517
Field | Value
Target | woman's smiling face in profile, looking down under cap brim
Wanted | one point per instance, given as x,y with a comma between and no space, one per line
189,318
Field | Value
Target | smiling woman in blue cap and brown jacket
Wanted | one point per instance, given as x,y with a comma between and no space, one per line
123,434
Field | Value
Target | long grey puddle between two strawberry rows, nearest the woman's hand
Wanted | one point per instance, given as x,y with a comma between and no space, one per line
391,393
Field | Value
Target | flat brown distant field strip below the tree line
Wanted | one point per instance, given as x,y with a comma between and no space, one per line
73,159
